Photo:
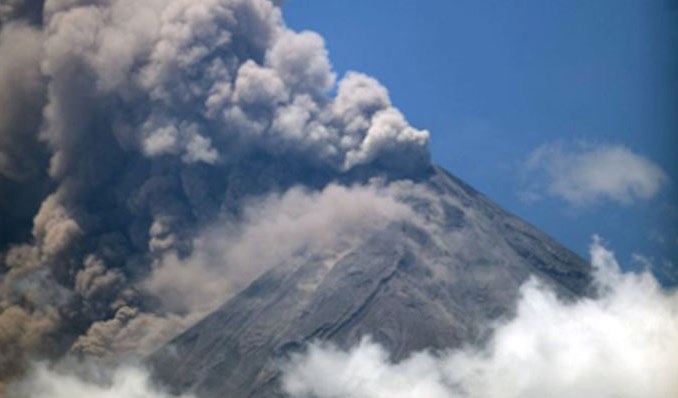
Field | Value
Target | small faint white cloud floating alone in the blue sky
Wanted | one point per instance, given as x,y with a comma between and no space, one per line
584,175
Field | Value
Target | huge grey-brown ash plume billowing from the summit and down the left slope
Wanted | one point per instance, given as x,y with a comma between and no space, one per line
128,127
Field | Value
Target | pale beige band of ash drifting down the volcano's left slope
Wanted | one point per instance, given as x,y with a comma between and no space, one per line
226,257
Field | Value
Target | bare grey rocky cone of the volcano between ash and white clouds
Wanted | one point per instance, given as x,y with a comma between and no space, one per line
434,282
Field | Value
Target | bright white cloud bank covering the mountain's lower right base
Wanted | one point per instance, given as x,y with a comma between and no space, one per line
624,343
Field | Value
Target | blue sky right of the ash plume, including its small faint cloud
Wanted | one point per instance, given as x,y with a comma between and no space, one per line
568,83
